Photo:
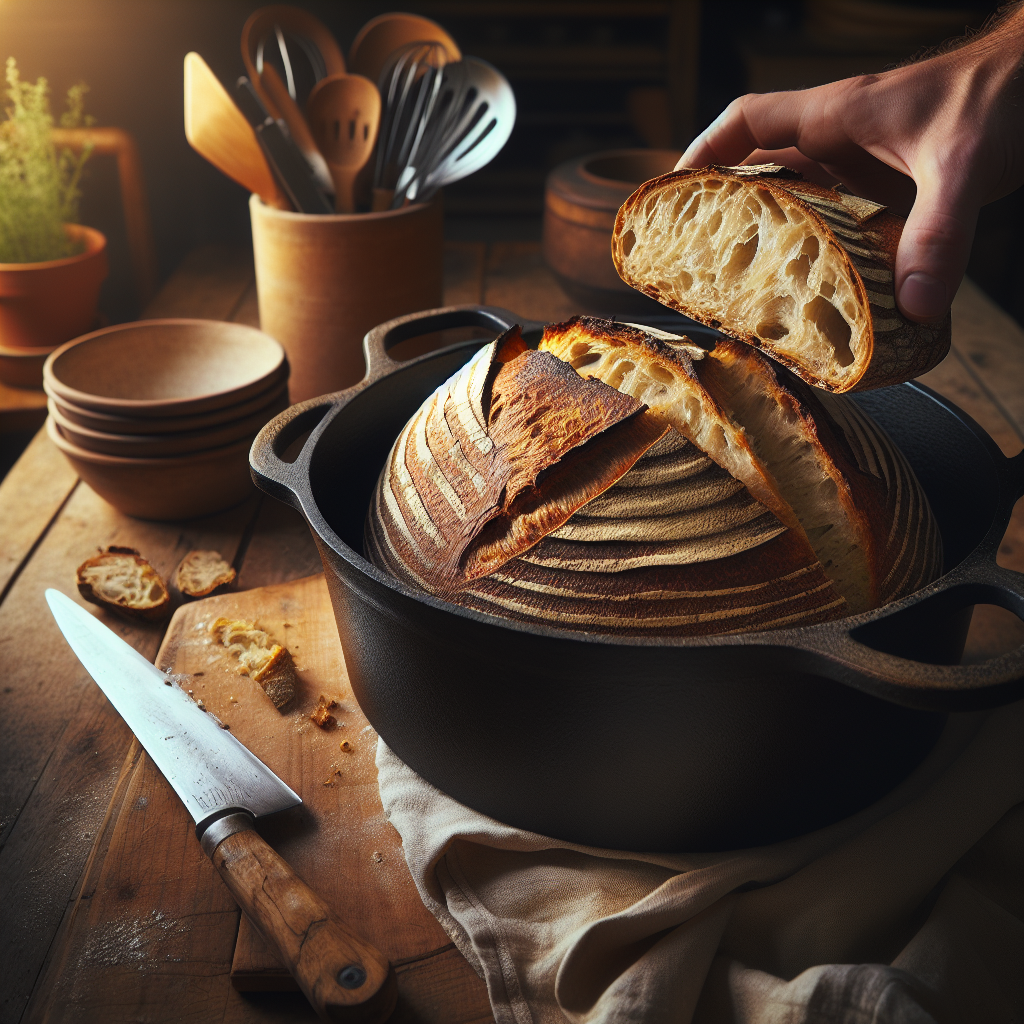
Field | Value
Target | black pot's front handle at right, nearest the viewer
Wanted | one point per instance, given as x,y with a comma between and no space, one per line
860,654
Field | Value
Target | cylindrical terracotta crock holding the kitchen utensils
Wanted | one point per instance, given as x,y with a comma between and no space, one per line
325,280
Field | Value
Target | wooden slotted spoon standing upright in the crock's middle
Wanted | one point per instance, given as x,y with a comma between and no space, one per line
345,114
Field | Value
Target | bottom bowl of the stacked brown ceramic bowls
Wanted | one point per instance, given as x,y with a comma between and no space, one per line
174,488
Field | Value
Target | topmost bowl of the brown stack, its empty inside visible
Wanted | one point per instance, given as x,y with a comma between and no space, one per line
164,368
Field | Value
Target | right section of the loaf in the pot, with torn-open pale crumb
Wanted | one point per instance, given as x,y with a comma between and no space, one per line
821,455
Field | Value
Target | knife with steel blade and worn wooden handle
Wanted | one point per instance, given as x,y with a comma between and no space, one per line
226,788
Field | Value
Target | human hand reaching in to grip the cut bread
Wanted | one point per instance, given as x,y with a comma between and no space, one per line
938,139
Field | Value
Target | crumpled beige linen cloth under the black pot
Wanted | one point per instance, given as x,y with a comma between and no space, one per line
911,912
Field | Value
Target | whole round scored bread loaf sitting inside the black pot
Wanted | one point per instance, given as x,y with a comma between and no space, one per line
628,482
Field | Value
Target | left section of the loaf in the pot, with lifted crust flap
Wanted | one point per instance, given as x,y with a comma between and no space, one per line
501,455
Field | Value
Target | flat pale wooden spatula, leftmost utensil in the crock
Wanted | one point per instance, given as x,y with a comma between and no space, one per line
217,130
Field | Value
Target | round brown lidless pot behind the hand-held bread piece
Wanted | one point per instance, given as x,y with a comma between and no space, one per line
582,198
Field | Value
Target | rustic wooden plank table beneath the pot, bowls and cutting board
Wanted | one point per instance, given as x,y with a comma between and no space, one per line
64,748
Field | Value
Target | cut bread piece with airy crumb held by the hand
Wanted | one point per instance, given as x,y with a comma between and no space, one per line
801,272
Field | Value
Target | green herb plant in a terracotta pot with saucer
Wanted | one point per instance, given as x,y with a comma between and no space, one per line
52,268
